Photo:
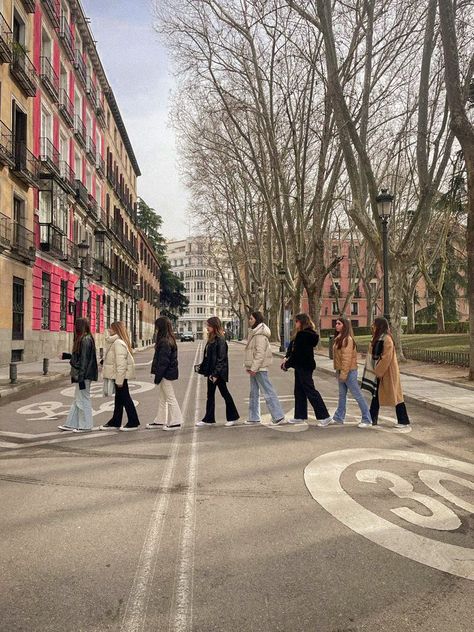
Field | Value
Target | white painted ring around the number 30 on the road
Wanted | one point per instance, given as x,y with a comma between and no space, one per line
322,478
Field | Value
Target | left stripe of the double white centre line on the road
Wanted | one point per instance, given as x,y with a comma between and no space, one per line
135,612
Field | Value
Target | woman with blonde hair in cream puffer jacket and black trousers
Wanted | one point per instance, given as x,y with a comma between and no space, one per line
119,366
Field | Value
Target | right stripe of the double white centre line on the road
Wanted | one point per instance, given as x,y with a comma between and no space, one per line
183,599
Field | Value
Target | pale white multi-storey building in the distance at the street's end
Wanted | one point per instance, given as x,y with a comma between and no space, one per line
208,287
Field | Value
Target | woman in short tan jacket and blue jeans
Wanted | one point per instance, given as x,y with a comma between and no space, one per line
345,363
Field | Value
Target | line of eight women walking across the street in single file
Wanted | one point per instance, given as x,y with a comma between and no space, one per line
381,375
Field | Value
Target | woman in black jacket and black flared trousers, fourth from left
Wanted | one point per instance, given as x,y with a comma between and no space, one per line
215,366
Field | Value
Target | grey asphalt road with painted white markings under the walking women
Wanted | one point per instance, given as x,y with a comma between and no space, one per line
261,529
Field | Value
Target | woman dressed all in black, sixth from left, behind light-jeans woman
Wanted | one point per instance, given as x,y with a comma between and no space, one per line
300,357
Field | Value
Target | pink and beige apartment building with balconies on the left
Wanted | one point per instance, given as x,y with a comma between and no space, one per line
67,184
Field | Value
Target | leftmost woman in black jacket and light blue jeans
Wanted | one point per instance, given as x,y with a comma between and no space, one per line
84,370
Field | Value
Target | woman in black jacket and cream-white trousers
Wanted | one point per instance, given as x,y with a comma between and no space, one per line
165,369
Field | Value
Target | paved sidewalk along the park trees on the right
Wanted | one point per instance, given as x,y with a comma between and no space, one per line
444,389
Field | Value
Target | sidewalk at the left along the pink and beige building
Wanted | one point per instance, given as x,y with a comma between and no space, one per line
30,375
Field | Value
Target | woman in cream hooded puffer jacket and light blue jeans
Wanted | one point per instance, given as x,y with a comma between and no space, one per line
258,357
